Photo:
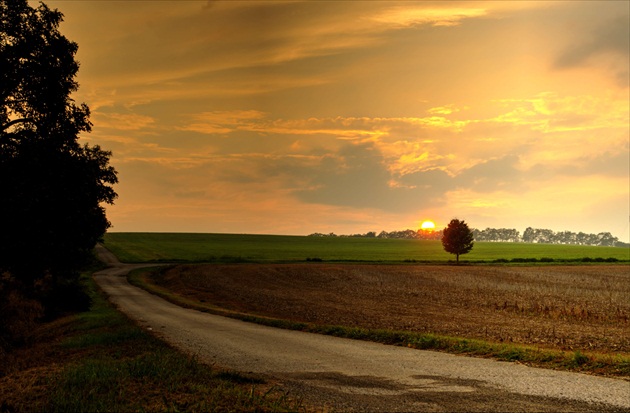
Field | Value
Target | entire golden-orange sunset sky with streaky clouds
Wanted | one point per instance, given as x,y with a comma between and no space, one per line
296,117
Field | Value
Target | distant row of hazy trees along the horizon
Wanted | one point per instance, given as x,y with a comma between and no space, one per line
531,235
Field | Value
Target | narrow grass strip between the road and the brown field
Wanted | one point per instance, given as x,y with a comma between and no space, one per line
591,362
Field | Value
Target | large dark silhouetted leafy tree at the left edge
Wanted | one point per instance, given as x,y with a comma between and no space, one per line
52,188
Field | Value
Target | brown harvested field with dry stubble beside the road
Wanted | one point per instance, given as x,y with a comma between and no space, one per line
559,307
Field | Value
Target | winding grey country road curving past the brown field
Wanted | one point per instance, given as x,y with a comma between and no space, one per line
342,374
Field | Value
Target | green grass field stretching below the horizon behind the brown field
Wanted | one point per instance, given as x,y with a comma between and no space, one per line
151,247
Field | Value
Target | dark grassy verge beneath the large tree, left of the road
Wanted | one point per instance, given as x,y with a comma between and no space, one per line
101,361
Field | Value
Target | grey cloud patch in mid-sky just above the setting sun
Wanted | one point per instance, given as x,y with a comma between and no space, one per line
358,176
